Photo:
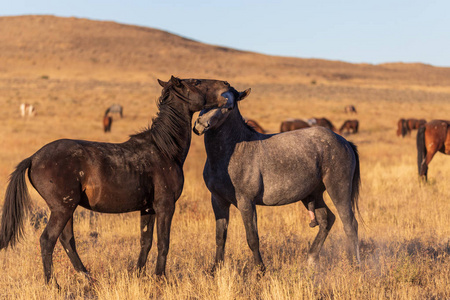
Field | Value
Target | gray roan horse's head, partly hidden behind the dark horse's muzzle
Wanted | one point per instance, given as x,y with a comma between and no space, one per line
214,117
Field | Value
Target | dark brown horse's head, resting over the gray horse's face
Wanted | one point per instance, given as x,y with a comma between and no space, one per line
200,93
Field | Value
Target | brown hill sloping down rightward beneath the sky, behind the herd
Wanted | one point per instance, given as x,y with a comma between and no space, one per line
71,47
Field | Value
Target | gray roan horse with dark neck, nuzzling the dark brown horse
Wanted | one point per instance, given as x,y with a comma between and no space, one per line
246,168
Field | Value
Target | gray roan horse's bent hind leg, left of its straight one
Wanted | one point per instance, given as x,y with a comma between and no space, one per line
326,219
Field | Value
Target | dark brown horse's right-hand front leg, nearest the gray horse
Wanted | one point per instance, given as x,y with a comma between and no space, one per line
164,209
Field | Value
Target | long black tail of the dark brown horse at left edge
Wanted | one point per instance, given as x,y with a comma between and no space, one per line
16,206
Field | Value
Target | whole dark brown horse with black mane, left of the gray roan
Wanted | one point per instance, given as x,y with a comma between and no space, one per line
142,174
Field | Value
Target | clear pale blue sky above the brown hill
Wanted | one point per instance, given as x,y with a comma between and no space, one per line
356,31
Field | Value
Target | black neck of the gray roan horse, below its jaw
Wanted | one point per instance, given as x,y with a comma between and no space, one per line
220,142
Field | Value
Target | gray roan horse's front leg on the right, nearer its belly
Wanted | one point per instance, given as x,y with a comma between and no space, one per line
248,213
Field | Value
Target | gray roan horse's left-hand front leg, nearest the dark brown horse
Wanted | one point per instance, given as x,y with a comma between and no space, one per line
222,214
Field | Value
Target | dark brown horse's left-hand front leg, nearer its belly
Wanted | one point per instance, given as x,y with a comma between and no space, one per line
147,225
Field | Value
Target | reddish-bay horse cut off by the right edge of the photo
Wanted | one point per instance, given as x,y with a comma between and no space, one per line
432,137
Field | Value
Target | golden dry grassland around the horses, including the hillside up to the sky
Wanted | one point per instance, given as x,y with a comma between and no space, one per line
73,69
